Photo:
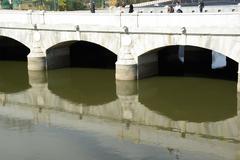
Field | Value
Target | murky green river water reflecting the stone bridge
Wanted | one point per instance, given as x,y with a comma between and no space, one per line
85,114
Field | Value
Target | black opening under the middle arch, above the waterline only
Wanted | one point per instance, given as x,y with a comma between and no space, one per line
80,54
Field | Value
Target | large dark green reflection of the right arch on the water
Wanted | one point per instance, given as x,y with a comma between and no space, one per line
189,98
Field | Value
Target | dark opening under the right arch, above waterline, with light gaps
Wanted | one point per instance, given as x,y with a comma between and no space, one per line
187,60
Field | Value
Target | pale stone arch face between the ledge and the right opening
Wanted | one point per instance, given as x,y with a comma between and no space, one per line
228,46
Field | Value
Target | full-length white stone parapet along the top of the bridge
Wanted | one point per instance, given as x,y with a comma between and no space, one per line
134,20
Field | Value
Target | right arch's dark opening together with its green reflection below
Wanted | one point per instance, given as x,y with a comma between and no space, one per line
188,87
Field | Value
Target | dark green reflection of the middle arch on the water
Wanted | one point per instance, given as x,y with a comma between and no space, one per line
83,86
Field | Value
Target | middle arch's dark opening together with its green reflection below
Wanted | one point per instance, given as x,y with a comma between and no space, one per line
90,79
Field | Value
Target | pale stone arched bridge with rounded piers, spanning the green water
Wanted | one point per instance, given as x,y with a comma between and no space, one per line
132,37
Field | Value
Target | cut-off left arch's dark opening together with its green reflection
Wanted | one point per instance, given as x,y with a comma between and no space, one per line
13,66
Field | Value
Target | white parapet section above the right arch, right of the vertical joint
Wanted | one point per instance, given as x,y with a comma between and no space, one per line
187,20
